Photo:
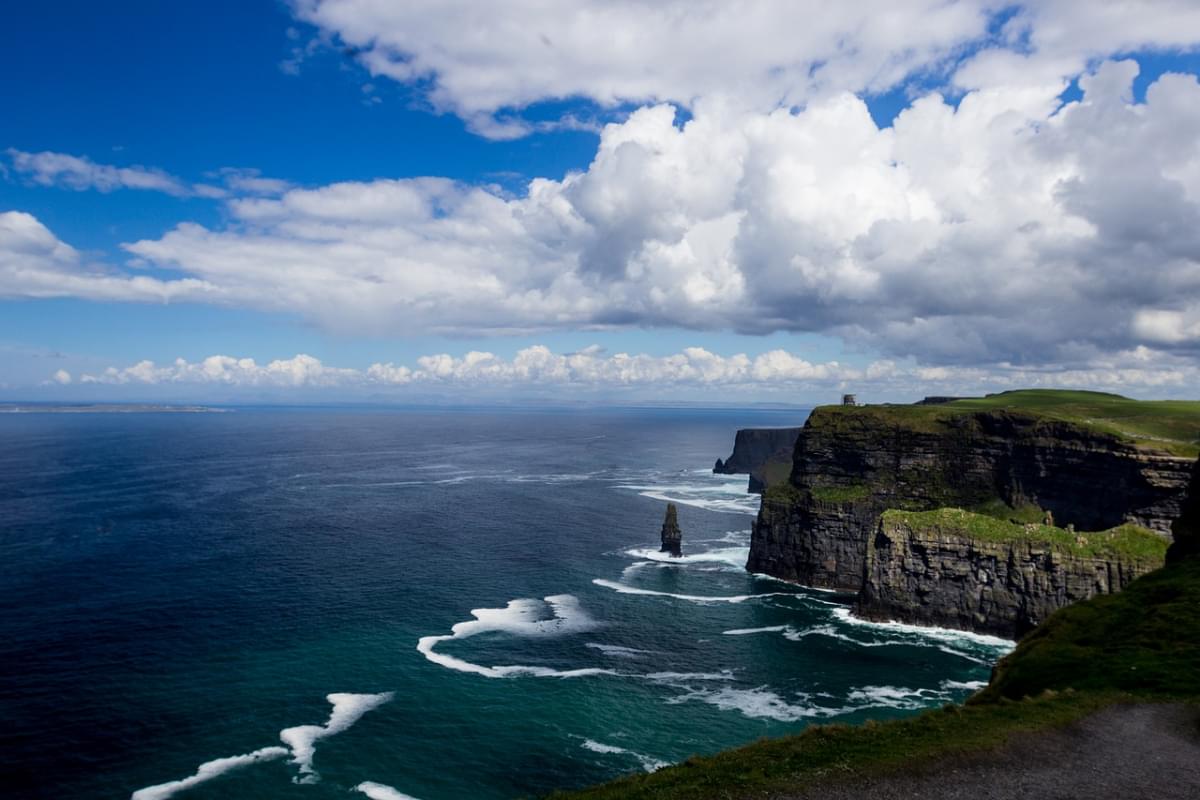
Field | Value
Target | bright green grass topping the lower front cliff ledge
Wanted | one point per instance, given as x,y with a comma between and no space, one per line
1129,543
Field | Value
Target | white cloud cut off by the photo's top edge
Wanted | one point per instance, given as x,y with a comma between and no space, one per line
478,59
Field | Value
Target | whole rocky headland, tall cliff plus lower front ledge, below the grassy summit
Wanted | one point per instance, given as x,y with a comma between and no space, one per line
823,528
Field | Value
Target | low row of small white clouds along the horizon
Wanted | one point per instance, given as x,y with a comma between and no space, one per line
593,370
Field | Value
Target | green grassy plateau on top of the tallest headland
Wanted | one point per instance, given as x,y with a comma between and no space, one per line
1169,426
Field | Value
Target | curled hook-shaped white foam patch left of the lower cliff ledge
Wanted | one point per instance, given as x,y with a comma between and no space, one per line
523,617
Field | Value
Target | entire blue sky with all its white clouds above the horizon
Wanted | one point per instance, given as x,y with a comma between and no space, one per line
769,210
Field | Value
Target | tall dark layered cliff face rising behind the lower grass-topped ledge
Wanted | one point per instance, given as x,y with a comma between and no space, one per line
853,465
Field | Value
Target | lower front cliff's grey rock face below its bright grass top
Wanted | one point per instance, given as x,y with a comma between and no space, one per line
947,579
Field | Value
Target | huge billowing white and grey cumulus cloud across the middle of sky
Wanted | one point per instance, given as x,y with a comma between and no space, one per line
1004,230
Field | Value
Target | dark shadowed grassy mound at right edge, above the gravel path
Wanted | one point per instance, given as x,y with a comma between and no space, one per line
1145,640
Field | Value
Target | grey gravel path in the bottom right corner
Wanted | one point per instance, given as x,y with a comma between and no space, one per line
1125,753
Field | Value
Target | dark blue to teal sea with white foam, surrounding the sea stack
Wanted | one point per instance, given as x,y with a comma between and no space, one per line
184,588
